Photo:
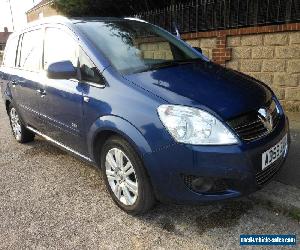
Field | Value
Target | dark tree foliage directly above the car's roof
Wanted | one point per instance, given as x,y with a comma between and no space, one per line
107,7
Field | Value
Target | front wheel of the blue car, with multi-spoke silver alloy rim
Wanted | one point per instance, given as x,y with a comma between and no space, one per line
125,176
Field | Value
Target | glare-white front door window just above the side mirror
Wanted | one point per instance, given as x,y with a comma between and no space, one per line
59,46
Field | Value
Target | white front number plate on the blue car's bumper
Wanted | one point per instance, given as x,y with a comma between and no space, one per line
274,153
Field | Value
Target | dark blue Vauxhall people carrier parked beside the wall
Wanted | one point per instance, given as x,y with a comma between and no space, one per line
160,120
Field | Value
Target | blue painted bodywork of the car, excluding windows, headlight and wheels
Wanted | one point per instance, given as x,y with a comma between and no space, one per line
126,103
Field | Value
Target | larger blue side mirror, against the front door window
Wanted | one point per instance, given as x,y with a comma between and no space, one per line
61,70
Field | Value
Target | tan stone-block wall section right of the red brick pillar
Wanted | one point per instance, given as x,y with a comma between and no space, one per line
271,58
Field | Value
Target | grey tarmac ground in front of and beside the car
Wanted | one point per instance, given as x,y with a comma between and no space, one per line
48,199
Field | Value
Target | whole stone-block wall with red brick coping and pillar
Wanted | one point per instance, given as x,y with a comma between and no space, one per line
268,53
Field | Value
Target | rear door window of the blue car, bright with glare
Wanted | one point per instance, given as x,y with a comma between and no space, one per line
31,50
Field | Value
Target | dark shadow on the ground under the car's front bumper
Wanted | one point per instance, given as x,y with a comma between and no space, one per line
179,218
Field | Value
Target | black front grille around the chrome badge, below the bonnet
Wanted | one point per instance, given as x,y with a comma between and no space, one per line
250,127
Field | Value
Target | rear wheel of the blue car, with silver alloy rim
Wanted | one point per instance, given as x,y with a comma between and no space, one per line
20,132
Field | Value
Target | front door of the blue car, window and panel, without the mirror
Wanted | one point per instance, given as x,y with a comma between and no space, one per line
61,100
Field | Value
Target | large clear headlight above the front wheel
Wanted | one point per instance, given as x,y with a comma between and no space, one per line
194,126
